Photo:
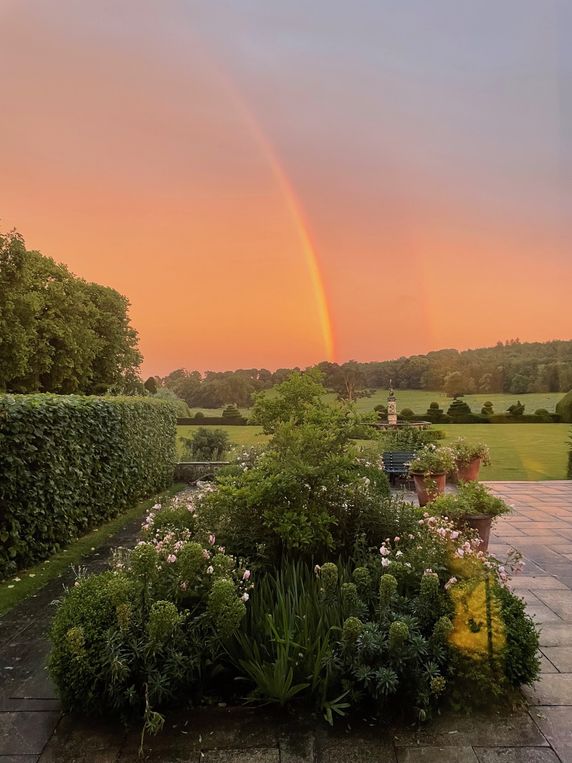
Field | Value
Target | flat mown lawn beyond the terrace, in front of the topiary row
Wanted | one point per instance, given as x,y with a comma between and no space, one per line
518,451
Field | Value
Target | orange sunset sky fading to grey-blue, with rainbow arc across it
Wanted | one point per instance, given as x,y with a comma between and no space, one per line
273,183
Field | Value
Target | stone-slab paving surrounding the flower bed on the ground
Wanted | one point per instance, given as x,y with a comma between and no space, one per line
32,729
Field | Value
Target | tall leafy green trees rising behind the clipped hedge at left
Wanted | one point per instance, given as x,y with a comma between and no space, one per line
59,333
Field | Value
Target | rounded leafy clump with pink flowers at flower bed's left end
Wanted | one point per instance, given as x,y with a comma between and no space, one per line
148,632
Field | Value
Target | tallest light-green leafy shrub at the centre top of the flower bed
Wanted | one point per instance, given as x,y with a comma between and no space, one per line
308,494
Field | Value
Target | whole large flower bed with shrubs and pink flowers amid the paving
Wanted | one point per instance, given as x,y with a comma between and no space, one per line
296,577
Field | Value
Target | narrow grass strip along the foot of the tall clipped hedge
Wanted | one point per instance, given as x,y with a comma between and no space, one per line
28,582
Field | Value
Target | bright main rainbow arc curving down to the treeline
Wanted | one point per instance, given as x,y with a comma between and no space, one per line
293,205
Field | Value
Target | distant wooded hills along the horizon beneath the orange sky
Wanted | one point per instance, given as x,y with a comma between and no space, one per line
512,366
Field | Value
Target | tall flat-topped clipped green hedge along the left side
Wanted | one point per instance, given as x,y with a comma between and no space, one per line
70,462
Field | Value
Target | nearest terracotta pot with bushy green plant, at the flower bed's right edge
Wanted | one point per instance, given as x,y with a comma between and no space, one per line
474,506
